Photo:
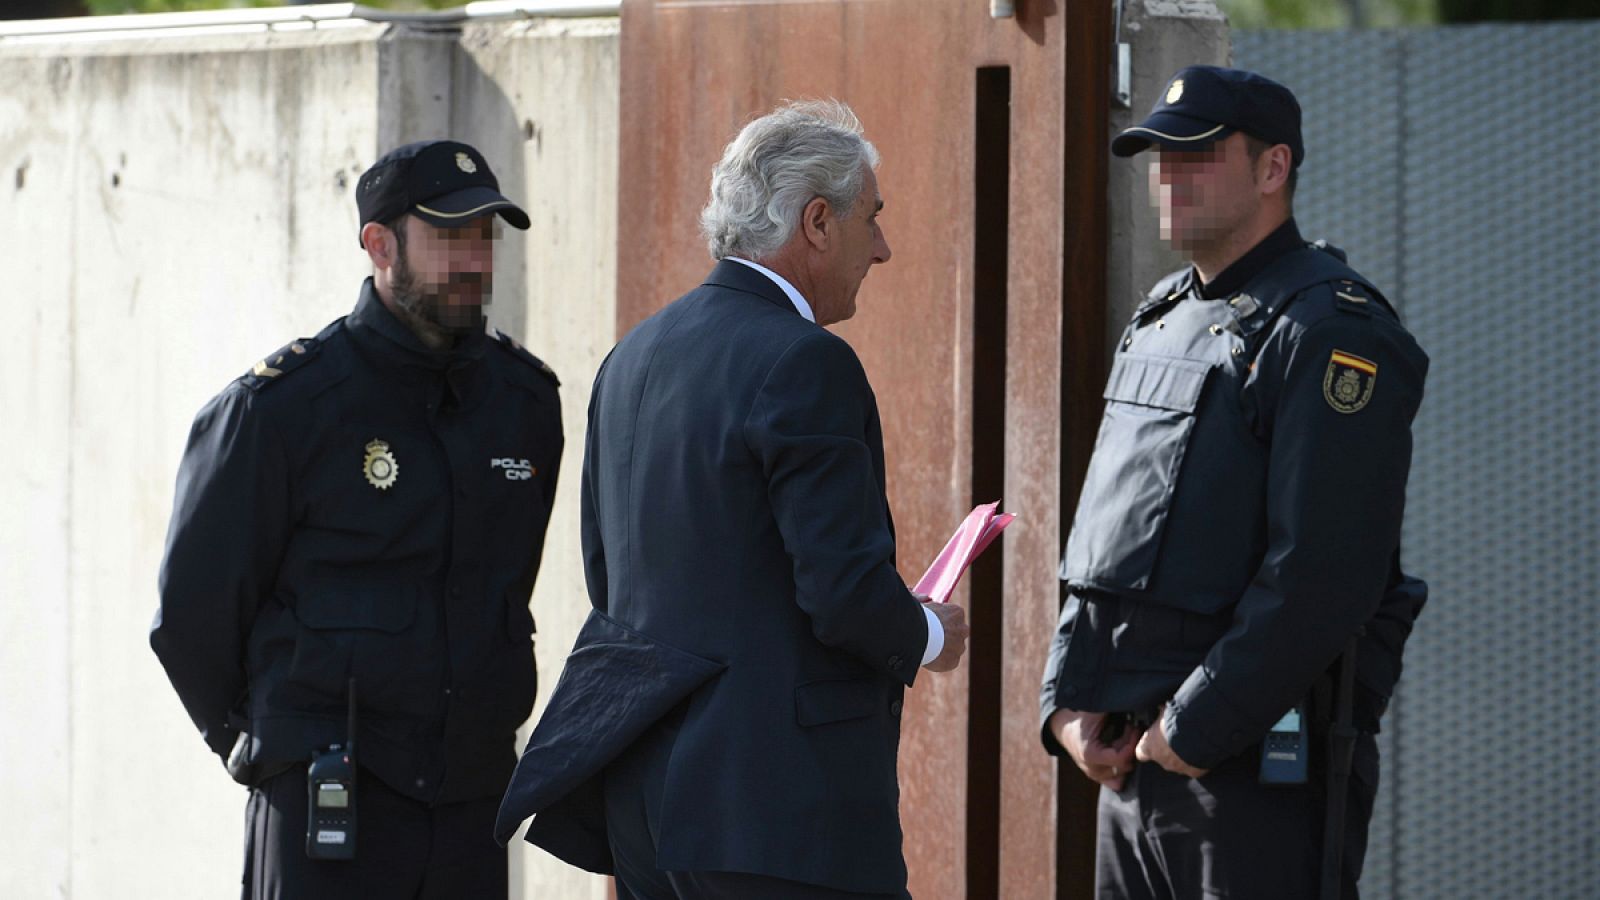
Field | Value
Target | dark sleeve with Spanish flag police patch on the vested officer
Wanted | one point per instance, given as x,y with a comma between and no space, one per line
1334,504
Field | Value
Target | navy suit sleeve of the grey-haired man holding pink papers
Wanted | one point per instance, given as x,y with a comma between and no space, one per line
815,430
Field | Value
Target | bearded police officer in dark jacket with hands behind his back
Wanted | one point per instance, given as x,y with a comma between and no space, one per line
367,510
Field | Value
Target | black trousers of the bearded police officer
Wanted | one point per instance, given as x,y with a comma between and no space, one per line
404,850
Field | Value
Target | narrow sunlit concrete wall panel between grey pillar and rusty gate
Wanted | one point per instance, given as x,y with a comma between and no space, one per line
545,95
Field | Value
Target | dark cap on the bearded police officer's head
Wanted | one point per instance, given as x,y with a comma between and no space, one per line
444,183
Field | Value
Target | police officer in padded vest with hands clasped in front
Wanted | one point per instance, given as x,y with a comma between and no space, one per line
1238,528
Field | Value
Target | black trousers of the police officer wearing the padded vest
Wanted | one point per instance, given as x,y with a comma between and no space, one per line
1172,838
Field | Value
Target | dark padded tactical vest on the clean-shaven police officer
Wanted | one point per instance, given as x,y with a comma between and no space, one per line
1172,510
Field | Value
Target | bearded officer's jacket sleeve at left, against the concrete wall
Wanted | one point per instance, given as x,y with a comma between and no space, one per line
223,548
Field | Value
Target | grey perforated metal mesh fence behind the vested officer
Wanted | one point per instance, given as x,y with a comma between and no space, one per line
1458,167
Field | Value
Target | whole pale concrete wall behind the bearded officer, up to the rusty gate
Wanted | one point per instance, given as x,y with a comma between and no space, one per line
174,211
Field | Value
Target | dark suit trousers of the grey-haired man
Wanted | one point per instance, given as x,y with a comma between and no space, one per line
633,806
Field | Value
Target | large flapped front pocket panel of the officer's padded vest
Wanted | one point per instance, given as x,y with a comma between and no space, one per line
1129,489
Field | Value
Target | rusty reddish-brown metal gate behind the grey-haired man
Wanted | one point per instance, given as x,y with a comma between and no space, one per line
983,337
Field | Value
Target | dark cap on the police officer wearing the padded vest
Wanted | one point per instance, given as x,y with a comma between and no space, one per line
1206,103
